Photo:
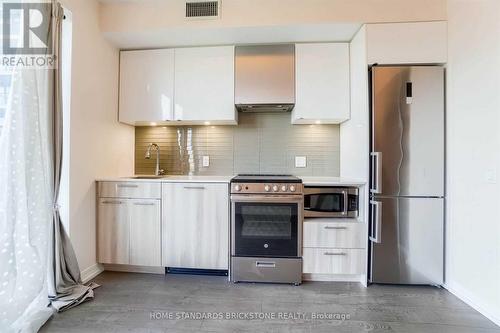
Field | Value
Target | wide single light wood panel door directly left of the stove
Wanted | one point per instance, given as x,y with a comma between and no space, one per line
195,225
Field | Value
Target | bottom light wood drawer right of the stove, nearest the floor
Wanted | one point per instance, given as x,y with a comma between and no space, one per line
333,261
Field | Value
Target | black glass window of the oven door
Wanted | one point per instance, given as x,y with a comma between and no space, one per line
265,229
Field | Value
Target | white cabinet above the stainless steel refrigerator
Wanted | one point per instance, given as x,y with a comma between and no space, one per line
407,43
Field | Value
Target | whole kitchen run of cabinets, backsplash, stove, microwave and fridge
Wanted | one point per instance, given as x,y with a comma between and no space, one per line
262,89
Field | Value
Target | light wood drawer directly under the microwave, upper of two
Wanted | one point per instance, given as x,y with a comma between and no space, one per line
334,235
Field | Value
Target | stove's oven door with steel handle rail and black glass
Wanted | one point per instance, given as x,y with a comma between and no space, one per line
266,226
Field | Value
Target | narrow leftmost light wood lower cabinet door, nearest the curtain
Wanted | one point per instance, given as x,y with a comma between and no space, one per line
113,231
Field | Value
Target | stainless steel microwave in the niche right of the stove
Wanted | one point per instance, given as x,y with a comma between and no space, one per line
331,202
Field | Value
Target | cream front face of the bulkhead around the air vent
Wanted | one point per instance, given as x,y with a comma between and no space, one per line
139,15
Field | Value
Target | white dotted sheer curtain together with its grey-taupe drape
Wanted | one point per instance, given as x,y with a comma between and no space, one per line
38,267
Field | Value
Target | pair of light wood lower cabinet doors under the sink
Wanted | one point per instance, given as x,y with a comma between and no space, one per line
128,231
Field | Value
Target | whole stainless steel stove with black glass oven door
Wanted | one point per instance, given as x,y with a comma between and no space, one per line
266,228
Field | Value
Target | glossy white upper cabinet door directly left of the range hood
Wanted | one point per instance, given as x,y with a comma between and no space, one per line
204,85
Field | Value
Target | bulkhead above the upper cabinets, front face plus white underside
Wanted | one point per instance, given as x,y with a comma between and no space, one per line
161,23
